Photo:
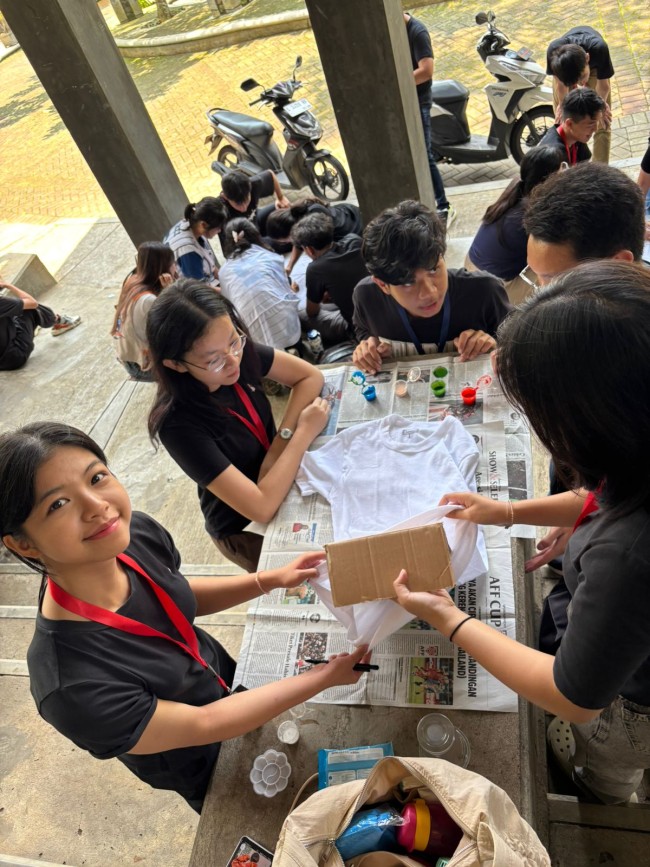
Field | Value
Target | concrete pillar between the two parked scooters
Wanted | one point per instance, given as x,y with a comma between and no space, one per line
365,55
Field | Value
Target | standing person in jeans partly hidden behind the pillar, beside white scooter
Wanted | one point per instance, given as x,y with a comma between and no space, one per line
422,60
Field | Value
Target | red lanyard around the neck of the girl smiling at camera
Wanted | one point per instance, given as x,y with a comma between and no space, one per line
127,624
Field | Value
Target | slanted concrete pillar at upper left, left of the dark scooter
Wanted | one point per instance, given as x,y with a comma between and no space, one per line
78,63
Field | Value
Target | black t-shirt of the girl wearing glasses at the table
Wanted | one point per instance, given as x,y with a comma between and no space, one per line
205,439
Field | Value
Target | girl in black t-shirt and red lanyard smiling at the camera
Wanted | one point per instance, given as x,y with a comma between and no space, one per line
158,699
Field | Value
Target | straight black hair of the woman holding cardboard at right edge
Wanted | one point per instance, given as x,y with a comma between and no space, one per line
574,360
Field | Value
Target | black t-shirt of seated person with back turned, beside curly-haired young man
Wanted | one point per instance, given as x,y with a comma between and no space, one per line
337,272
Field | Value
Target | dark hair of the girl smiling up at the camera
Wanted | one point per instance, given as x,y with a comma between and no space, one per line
22,453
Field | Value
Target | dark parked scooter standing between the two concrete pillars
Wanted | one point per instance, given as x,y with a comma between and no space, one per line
250,147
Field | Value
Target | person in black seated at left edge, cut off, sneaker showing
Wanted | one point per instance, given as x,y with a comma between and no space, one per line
20,316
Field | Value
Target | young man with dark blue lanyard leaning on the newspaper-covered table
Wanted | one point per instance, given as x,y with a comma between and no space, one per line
412,304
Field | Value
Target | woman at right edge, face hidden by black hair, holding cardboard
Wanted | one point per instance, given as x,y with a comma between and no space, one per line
574,360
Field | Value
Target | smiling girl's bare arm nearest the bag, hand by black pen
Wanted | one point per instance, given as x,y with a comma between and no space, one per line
175,725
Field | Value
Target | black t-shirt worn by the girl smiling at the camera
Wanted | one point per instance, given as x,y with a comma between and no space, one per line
99,686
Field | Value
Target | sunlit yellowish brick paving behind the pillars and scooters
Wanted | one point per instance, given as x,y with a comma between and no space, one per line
43,177
